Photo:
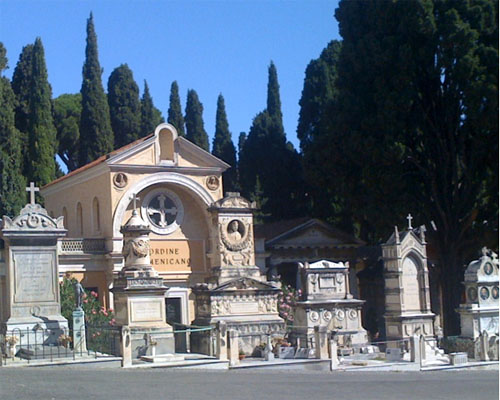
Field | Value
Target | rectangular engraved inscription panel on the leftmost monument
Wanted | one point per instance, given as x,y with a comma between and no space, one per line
34,277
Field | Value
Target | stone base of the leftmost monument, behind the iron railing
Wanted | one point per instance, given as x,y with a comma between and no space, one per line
36,331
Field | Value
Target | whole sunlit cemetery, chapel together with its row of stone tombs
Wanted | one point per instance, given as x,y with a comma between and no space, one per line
172,267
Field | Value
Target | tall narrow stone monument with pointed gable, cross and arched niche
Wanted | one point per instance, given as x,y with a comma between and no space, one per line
407,295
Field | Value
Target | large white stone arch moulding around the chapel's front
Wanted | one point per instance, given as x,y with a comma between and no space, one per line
164,177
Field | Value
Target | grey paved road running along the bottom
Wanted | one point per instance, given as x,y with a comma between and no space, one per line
77,383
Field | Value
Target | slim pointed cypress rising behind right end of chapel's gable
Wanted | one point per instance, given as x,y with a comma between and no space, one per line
223,146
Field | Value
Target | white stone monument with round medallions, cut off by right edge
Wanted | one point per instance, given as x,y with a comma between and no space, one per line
480,311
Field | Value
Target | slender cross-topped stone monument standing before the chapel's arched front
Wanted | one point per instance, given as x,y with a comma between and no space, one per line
140,294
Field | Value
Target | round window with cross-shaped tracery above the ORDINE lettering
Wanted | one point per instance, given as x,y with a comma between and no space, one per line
163,209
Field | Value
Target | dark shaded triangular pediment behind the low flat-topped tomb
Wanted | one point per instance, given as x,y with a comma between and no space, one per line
313,233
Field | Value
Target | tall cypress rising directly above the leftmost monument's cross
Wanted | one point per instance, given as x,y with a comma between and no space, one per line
41,131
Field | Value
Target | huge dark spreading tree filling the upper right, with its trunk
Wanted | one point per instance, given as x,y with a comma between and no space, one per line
411,125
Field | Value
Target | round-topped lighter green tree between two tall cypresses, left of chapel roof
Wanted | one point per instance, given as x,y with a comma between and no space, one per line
67,109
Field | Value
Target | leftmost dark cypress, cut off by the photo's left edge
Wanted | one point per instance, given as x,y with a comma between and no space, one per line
12,182
